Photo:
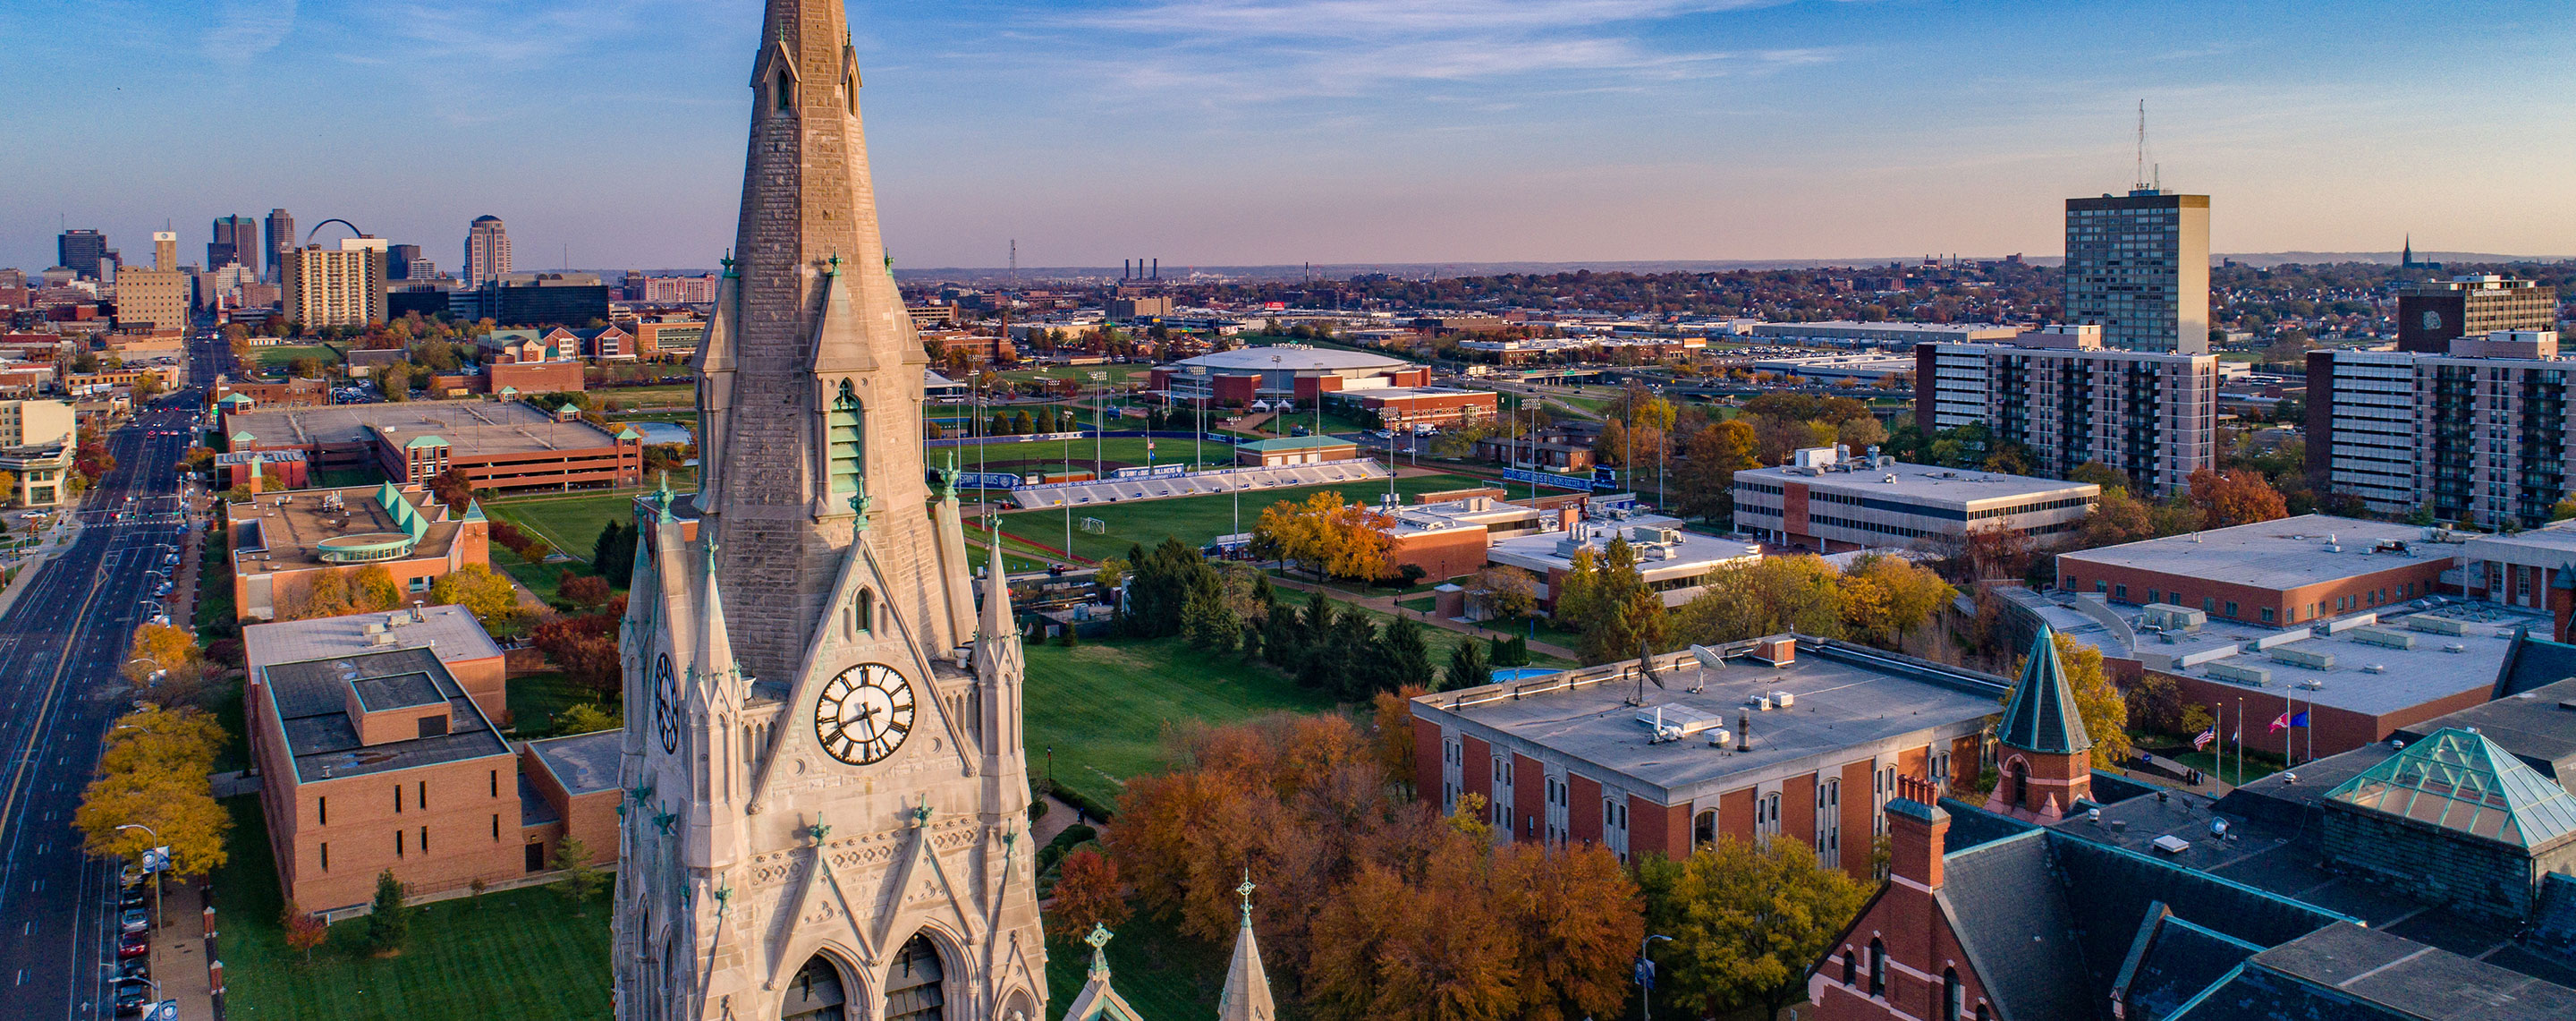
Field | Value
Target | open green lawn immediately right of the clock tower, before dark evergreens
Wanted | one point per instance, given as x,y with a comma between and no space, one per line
1109,705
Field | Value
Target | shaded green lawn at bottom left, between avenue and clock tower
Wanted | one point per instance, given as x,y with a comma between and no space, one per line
514,955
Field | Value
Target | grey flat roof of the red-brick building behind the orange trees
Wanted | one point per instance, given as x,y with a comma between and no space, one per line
1843,697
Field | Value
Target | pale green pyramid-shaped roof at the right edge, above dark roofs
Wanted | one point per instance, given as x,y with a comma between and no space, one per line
2464,783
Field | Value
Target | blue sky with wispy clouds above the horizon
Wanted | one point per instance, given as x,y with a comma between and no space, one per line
1225,133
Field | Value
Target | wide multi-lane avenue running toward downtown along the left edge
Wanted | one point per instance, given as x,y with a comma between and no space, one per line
61,690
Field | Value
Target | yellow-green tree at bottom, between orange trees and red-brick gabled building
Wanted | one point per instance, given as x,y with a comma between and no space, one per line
1745,922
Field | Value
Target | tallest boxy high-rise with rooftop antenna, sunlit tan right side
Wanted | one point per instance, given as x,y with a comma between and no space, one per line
2139,267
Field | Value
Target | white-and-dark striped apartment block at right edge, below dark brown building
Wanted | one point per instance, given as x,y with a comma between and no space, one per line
2477,434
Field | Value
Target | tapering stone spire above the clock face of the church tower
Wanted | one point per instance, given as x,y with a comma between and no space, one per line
813,373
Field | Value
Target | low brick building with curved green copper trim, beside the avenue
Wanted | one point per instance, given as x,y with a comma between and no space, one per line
285,540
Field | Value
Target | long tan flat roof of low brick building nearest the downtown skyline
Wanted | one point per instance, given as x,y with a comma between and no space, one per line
470,427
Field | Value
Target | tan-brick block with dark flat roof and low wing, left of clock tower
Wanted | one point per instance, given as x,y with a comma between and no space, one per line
377,749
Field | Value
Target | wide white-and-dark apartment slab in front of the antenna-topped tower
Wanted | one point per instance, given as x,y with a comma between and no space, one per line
2065,398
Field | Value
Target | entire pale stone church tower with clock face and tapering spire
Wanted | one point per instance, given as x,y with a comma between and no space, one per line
826,780
